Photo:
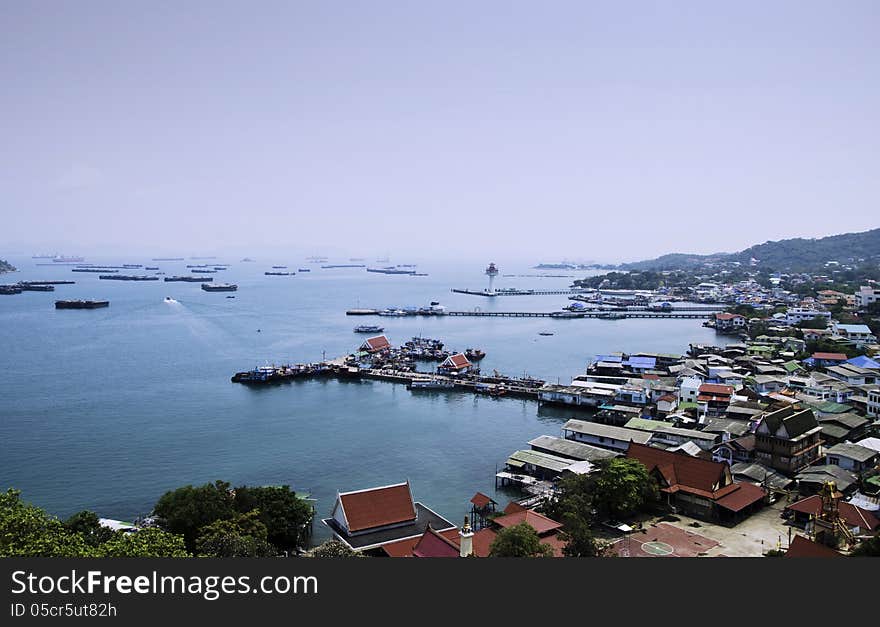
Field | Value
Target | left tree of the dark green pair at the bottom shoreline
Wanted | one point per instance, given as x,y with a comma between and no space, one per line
186,510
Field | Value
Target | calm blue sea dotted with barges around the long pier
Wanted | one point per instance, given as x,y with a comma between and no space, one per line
107,409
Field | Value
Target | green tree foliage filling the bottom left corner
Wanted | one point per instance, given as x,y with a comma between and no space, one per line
28,531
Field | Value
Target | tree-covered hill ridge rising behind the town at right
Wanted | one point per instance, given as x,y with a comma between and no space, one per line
796,254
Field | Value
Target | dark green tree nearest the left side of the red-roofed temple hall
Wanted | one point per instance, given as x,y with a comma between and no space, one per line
284,514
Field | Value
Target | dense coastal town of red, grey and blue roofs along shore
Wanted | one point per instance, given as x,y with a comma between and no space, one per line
767,444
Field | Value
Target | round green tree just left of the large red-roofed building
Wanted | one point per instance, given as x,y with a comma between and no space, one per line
623,486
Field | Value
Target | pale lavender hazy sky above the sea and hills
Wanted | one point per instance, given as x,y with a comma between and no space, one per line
532,130
